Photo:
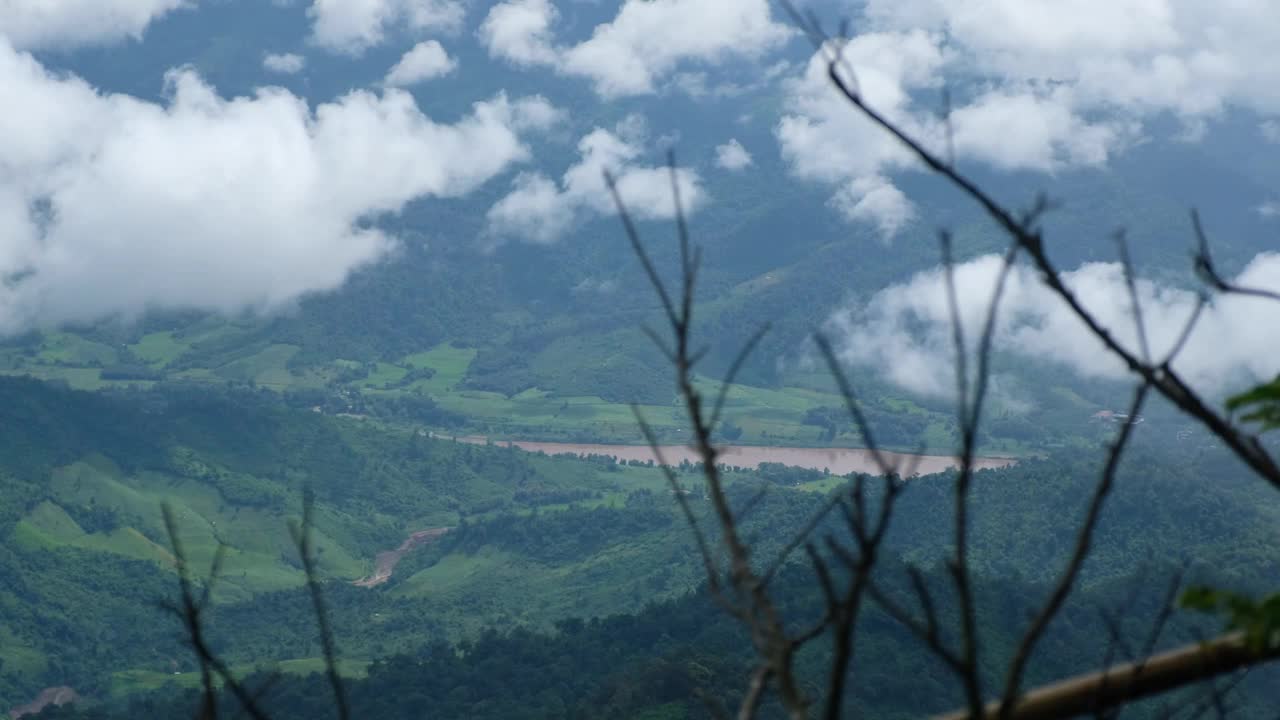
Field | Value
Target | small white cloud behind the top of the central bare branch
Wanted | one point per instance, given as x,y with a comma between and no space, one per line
540,211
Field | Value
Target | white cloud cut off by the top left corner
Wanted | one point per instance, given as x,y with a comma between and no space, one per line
40,25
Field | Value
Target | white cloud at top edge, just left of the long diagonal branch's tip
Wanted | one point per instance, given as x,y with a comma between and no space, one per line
647,40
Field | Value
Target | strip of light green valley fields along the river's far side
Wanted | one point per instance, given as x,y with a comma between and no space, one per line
220,353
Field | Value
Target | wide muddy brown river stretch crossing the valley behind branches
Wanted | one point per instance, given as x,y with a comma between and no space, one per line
838,461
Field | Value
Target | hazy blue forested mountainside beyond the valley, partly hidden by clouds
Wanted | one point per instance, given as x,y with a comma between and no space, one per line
540,321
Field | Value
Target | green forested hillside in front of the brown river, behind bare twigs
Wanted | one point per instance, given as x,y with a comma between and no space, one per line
536,544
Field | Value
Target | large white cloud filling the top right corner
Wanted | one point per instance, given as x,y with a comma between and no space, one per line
1135,56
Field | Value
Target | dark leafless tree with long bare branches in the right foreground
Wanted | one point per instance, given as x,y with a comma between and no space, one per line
845,567
